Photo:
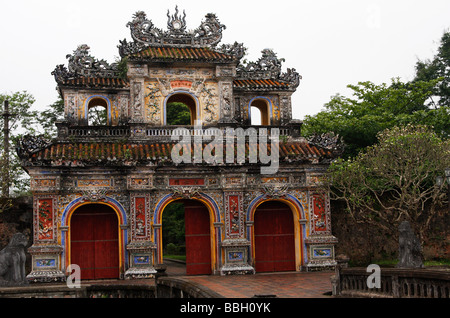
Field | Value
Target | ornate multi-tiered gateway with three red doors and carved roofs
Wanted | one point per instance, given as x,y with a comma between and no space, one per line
100,191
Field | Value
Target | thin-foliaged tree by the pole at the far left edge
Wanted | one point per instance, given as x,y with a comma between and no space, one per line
23,121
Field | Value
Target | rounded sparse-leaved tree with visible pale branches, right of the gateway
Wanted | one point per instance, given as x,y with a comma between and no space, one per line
394,180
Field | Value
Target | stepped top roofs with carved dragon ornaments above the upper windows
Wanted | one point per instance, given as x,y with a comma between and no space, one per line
153,45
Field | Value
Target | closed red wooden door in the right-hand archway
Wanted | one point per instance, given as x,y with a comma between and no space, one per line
274,238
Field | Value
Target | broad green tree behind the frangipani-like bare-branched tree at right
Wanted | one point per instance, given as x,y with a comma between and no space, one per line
373,108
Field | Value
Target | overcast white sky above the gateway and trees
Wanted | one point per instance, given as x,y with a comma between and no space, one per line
331,43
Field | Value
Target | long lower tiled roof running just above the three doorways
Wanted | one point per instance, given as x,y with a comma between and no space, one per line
97,152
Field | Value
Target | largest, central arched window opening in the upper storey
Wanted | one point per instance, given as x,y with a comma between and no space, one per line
181,109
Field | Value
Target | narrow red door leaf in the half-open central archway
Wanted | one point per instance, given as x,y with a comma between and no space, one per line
198,239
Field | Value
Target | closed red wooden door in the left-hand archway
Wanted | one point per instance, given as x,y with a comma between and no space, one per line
95,241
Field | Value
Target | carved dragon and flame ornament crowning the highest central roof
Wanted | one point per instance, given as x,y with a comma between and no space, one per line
145,34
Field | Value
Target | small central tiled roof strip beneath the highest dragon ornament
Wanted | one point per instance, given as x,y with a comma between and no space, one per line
184,54
